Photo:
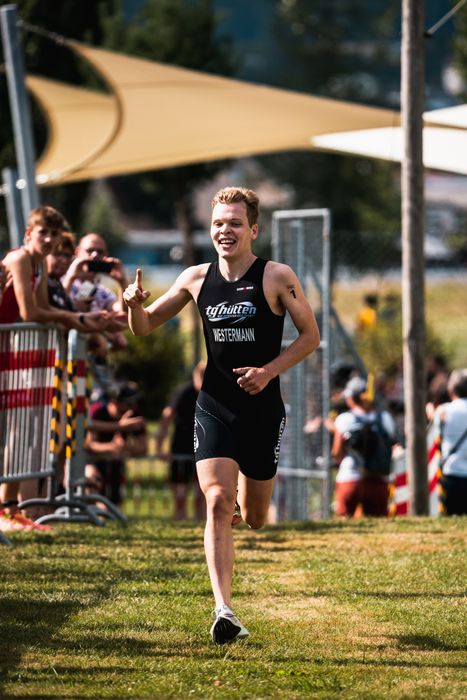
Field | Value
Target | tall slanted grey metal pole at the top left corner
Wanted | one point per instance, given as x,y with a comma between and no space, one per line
19,105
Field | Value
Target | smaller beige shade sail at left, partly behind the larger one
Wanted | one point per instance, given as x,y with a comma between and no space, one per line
81,123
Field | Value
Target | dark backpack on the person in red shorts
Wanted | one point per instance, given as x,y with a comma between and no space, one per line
373,444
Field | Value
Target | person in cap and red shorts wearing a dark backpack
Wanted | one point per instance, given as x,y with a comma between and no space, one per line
362,446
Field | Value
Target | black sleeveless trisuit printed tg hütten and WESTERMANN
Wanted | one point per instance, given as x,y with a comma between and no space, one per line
240,331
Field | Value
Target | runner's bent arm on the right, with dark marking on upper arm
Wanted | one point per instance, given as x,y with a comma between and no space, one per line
284,292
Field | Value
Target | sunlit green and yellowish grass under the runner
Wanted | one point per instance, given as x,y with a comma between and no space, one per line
364,609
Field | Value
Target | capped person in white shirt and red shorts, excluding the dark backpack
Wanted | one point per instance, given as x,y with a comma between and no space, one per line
357,491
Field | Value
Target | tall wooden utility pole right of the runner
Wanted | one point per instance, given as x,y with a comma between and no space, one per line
413,262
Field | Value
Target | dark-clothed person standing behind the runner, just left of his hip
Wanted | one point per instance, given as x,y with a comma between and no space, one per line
181,412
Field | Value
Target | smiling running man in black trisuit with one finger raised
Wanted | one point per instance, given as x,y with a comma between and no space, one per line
240,416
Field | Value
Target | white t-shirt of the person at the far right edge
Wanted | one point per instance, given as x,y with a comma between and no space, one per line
451,421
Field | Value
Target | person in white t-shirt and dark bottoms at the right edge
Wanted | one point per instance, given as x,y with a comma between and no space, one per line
451,426
